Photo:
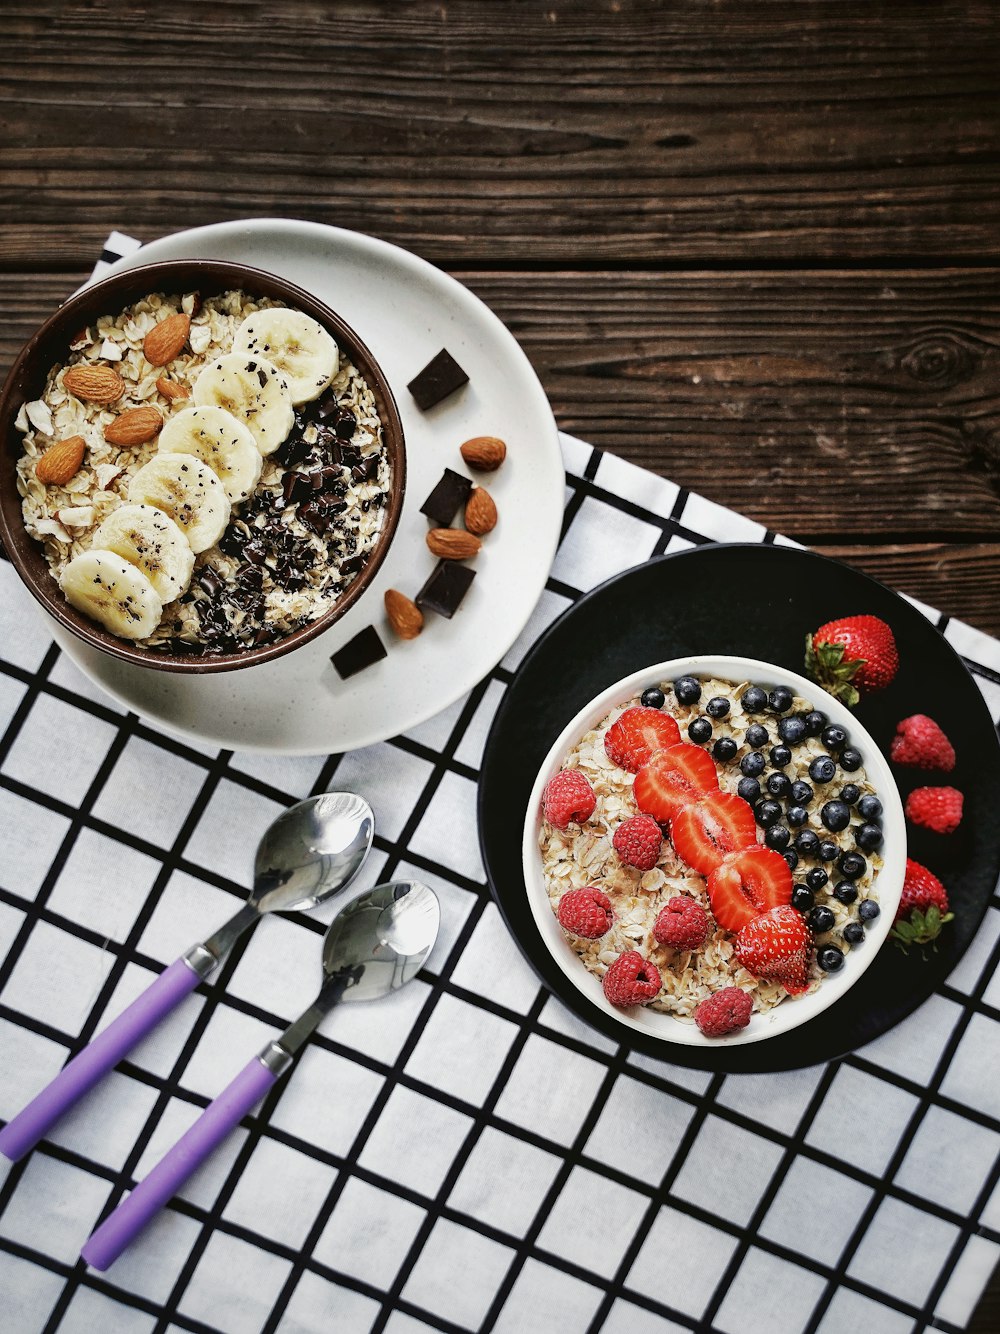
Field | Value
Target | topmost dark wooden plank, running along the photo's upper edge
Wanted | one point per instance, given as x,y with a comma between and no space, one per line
621,134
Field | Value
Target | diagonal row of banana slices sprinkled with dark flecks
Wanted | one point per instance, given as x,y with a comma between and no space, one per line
210,458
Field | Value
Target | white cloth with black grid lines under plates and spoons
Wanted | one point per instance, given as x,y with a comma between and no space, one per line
554,1183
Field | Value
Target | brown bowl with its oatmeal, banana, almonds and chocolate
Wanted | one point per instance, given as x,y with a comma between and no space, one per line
202,468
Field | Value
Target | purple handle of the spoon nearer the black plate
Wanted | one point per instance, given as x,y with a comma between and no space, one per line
121,1228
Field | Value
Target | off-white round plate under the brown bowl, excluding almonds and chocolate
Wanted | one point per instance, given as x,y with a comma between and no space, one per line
406,310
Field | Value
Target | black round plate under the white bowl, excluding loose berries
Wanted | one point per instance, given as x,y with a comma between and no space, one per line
758,602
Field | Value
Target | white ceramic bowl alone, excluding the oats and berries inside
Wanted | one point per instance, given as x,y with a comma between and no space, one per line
794,1011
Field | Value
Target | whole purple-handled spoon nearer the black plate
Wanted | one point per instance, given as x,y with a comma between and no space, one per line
375,946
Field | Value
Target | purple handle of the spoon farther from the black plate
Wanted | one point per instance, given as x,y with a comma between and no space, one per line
97,1060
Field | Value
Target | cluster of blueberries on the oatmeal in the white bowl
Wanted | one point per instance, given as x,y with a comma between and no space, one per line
783,806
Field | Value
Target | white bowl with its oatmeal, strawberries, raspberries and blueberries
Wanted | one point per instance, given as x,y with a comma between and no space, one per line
714,850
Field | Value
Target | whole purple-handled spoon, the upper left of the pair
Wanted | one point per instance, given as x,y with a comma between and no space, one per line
311,853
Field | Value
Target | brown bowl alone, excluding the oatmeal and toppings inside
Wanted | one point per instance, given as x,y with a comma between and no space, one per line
51,346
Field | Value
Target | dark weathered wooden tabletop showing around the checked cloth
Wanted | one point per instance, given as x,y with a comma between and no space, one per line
751,247
